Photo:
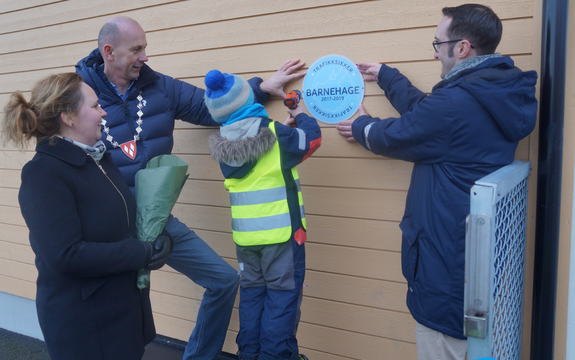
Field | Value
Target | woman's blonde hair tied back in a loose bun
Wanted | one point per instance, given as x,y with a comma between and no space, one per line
40,117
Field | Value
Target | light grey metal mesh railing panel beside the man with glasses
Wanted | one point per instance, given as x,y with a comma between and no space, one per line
494,263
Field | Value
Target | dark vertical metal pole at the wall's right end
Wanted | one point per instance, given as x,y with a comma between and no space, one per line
550,158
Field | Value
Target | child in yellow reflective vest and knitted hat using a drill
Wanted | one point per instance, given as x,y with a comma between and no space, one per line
258,157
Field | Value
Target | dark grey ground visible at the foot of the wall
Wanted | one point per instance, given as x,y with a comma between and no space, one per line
19,347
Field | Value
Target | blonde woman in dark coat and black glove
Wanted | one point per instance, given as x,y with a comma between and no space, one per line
87,256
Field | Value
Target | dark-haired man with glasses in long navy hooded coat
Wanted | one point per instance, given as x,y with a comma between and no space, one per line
468,127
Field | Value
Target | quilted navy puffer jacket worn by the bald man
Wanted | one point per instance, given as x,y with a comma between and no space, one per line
166,99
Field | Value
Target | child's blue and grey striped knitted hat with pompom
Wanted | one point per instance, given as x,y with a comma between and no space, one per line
226,94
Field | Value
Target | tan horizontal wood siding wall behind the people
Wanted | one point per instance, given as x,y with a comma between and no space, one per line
354,303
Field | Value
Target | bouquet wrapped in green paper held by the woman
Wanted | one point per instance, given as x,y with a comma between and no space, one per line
157,189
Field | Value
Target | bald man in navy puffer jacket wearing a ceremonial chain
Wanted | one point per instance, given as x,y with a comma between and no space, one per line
142,105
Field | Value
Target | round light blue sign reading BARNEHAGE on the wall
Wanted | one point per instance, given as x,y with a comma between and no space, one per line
333,89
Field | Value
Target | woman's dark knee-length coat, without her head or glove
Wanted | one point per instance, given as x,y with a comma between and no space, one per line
81,221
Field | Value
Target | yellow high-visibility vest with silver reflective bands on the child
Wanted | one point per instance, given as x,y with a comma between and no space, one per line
260,211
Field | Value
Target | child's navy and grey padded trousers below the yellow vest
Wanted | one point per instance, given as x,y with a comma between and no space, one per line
271,282
